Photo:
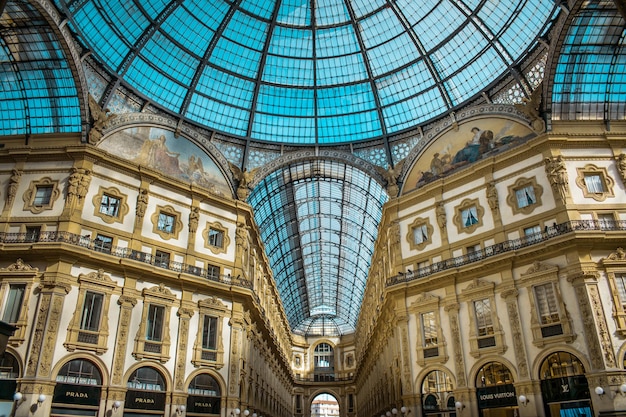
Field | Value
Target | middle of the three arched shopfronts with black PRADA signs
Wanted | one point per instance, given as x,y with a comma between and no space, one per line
146,393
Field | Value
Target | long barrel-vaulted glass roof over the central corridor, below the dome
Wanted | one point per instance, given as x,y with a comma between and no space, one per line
319,221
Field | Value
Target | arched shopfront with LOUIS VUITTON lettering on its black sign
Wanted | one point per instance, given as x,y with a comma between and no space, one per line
495,391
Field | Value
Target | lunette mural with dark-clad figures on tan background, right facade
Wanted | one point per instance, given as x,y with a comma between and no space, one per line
473,140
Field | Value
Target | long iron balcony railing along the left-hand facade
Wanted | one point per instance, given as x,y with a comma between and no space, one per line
122,252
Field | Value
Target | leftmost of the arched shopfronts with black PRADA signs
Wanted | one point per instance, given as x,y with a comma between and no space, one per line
78,389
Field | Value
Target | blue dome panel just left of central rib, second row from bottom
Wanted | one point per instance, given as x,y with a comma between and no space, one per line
286,101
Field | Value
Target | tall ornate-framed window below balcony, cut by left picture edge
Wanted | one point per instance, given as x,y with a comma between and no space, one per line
16,283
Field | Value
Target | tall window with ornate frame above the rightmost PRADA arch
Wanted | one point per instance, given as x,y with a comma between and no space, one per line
209,346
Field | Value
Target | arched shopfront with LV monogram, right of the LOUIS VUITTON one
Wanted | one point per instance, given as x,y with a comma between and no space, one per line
564,386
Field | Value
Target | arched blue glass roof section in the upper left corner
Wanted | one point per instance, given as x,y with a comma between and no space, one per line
37,88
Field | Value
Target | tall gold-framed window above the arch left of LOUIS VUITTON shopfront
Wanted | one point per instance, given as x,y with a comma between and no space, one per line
430,344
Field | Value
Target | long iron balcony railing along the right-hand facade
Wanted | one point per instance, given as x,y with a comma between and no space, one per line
510,245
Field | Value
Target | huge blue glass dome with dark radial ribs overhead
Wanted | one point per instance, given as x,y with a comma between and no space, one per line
309,72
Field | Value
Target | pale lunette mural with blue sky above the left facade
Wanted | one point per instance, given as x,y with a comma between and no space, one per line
158,149
